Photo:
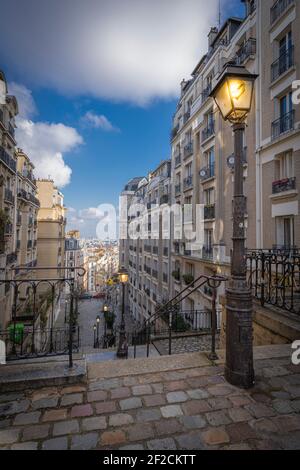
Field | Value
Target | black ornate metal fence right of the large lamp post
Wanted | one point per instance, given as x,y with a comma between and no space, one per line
274,277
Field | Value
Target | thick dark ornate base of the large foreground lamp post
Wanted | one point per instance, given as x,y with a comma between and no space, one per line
239,369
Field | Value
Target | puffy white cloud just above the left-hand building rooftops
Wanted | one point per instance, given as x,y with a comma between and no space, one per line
45,143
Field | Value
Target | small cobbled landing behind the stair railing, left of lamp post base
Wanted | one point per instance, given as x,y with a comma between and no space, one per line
185,344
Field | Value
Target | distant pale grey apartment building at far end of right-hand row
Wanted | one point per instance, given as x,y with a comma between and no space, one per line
149,243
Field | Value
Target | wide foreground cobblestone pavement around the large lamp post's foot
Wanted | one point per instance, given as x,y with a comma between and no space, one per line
191,408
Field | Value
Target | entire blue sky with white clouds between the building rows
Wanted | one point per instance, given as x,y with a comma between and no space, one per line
97,83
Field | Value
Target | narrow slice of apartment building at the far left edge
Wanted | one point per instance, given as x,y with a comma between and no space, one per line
8,194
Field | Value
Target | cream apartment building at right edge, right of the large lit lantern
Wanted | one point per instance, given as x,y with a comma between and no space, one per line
278,128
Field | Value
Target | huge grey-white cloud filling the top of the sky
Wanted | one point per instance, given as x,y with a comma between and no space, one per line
132,50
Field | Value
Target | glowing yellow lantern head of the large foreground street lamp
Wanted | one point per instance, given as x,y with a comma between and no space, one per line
233,94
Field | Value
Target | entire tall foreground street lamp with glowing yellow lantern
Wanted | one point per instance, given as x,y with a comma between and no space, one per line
233,96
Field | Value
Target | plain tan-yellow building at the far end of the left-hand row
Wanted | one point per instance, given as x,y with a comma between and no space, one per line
51,230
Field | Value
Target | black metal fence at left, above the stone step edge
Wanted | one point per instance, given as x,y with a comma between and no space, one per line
31,331
